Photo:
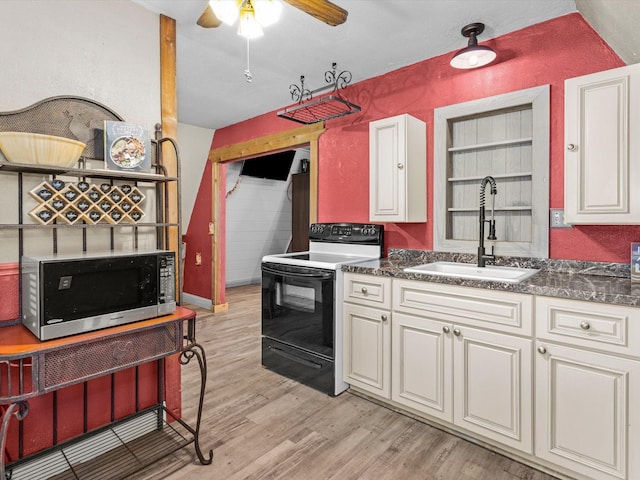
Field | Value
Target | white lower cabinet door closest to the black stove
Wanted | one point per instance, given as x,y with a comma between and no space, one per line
367,349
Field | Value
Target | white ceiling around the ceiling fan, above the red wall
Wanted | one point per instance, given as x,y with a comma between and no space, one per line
378,36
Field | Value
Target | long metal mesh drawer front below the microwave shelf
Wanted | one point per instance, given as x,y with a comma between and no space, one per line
74,364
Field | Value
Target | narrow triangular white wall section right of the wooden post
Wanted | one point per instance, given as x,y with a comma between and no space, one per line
194,144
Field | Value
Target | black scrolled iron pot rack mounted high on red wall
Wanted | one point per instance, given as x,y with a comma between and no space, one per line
313,110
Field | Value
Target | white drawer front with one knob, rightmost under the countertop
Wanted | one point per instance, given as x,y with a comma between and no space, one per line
613,328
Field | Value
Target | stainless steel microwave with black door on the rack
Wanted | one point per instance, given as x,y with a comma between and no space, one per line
68,294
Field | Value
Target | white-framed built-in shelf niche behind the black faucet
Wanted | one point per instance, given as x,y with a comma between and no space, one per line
505,137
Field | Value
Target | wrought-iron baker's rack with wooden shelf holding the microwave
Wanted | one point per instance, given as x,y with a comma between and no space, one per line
30,368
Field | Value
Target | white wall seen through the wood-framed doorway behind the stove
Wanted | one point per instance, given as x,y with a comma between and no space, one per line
258,221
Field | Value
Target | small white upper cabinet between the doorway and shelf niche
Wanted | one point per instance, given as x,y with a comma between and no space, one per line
398,170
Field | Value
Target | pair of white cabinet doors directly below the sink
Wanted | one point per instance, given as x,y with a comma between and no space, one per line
475,379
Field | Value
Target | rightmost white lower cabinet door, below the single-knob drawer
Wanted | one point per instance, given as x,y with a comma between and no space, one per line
584,402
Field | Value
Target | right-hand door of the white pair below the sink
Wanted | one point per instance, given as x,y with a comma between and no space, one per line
492,386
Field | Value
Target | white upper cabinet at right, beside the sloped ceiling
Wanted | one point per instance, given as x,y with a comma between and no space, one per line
602,147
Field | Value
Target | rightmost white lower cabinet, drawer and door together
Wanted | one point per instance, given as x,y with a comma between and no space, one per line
588,387
